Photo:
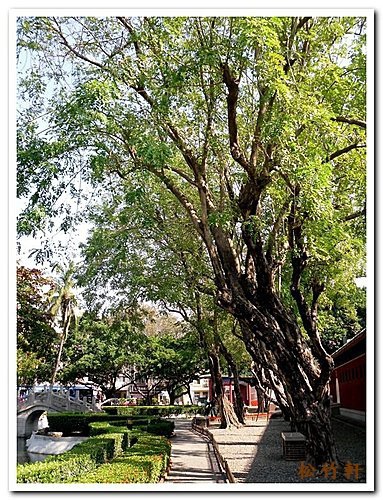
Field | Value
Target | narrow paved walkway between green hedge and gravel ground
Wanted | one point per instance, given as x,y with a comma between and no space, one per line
192,457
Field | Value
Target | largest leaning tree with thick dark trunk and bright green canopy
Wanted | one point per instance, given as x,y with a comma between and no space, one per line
257,128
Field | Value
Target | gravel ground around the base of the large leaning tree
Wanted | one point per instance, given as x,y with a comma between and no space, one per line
254,454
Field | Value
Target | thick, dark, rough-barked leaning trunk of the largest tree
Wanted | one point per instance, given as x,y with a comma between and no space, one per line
298,370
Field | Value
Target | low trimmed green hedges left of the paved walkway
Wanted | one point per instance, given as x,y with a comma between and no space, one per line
112,455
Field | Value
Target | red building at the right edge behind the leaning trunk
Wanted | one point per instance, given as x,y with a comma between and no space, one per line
348,380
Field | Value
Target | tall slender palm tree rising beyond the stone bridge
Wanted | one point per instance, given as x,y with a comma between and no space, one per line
63,310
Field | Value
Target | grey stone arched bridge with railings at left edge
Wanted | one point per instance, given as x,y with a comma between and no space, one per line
30,410
